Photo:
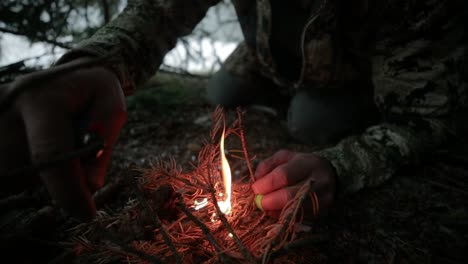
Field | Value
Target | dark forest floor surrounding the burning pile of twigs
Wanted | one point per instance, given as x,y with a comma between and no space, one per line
420,216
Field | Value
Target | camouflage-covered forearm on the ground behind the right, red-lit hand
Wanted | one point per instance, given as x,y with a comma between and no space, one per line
371,158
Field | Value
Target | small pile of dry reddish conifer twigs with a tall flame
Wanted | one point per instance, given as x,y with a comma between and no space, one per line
192,217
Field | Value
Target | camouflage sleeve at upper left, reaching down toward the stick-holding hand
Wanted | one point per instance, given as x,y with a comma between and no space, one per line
140,37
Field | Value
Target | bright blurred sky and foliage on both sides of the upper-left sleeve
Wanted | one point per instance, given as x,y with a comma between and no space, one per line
59,25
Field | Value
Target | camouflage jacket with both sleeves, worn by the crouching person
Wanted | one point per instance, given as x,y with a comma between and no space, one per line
414,51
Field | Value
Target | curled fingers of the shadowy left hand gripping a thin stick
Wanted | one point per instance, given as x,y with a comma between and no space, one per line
51,132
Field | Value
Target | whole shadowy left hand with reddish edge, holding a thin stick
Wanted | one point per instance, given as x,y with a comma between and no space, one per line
45,116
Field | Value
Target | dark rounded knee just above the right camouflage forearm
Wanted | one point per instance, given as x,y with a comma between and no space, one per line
319,117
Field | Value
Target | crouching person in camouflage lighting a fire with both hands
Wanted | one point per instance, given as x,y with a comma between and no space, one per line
378,85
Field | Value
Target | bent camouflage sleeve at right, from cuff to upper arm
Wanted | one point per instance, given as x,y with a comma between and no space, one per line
419,88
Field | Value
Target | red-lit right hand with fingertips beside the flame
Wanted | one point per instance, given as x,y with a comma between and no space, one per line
278,179
